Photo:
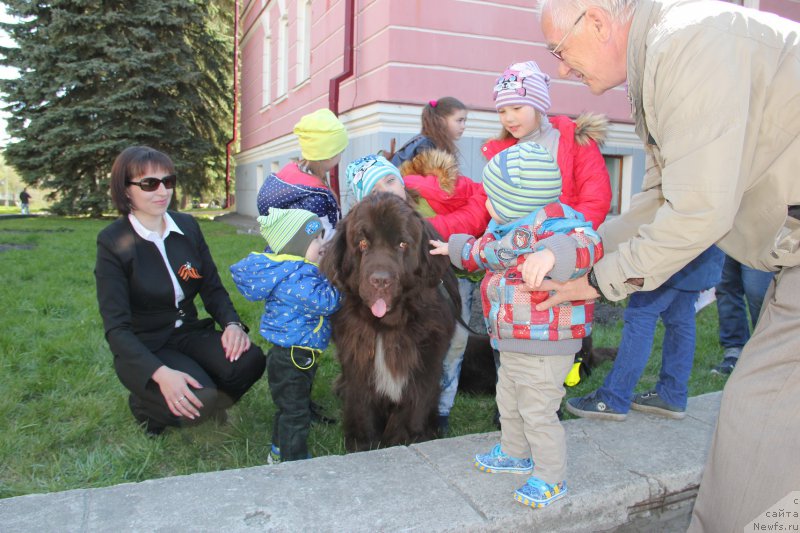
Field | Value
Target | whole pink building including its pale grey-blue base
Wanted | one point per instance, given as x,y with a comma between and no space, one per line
407,52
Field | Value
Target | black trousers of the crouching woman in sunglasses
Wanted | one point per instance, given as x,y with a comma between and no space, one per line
199,353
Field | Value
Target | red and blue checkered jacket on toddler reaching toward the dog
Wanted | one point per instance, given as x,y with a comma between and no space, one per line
512,321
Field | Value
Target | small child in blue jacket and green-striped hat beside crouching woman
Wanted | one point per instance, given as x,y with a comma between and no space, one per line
298,301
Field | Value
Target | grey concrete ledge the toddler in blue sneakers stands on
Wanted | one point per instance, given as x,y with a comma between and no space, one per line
638,475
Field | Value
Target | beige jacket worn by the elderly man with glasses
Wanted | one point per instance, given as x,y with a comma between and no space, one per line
715,91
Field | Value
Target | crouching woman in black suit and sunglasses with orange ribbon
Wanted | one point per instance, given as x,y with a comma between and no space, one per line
151,264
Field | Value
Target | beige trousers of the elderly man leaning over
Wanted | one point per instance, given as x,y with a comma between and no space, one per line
754,460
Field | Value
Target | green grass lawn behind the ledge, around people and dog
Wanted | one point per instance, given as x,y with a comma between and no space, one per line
64,419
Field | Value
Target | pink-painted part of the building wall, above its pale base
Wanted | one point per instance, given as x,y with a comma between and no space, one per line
407,51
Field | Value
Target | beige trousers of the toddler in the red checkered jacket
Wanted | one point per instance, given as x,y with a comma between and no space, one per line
529,392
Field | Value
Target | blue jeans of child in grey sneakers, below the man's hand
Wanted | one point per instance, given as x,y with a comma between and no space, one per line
676,309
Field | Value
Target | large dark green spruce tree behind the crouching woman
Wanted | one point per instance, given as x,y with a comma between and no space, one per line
97,76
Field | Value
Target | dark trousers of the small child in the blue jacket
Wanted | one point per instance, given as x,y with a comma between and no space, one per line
291,373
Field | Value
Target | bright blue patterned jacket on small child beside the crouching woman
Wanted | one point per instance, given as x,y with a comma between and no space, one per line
298,299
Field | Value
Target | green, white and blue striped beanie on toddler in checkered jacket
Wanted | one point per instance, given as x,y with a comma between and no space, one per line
521,179
